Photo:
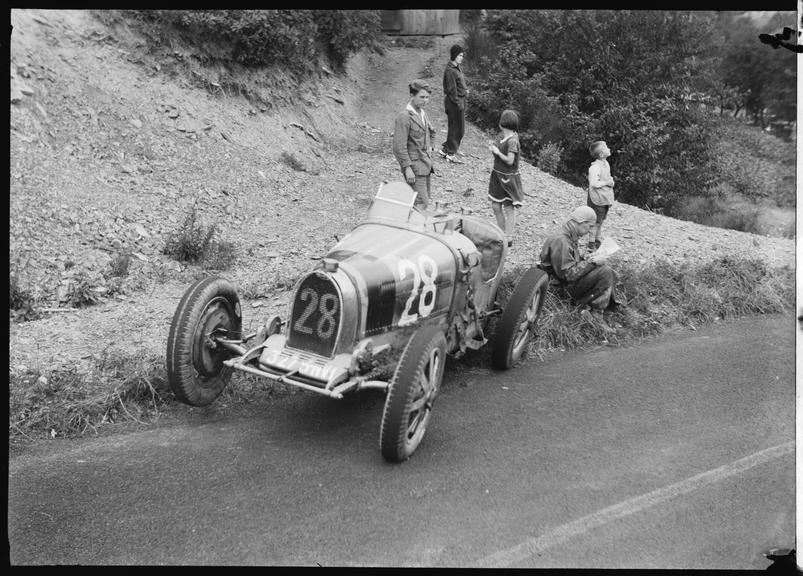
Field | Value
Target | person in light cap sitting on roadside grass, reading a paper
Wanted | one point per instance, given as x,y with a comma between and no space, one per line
588,279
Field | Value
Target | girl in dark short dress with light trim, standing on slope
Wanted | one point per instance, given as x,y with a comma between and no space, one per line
504,188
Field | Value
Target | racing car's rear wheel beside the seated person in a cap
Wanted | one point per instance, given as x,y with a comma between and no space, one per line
516,326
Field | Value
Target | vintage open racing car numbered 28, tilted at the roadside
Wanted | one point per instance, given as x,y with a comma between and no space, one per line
405,288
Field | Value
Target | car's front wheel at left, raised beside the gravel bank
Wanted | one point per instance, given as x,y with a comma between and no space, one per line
195,369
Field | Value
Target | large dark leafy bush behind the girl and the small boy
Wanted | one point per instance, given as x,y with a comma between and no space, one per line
632,78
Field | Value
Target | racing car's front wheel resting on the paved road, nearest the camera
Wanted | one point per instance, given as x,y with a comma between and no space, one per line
412,392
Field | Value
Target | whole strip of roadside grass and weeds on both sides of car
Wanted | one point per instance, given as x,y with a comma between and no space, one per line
660,296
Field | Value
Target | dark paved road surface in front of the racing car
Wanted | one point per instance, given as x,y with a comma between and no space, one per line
675,453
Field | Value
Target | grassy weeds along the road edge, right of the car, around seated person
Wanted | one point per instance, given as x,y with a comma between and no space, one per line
662,295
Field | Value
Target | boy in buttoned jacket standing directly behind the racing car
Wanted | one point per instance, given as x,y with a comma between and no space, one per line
412,142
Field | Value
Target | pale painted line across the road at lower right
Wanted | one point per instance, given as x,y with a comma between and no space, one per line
533,546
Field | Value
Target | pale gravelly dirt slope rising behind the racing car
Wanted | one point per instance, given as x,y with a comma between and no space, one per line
112,144
